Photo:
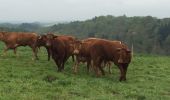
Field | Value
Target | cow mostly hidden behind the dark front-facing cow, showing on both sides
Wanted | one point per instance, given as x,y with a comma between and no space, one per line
68,40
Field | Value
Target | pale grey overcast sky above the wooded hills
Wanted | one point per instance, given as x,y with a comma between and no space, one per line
69,10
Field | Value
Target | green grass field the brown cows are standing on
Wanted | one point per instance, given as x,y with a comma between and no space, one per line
21,78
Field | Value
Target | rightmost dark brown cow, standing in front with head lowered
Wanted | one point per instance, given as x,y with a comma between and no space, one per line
110,51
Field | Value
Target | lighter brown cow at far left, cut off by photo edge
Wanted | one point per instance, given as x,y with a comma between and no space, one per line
13,40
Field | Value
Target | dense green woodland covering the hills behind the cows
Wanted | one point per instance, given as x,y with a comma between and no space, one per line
147,34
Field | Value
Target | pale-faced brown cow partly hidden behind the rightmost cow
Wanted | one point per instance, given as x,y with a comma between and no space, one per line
81,50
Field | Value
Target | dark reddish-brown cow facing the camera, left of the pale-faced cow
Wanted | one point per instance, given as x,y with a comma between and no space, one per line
59,48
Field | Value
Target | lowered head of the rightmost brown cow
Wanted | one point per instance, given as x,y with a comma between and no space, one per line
124,55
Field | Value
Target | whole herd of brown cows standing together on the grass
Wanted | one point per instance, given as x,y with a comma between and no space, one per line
96,52
